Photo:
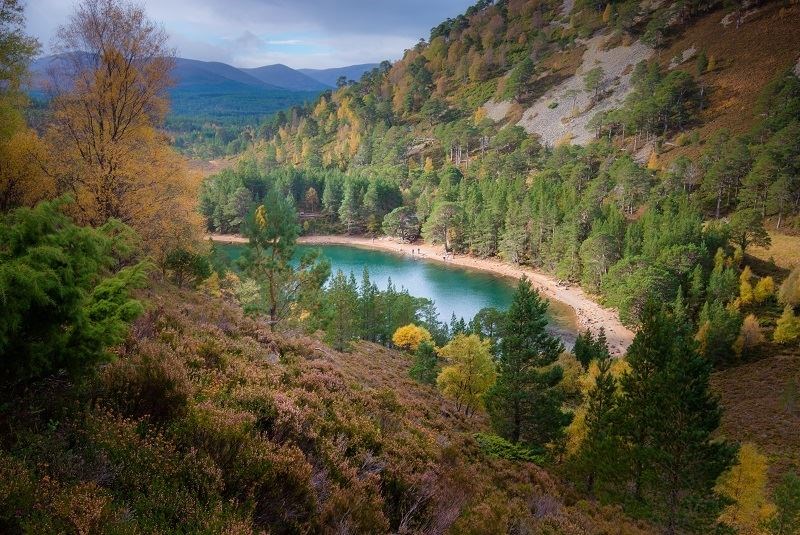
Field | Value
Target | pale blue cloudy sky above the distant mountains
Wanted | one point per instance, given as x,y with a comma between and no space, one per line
297,33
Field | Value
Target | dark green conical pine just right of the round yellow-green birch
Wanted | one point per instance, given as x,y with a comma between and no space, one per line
525,402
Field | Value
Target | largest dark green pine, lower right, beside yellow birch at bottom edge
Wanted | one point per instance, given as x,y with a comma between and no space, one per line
668,418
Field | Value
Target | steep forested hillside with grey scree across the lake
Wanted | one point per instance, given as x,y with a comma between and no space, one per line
646,151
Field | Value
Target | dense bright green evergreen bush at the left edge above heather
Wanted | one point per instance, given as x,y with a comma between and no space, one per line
64,297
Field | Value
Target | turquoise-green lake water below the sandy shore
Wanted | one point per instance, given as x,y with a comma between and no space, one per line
455,290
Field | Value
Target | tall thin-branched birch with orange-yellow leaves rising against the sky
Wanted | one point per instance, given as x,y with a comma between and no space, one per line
108,88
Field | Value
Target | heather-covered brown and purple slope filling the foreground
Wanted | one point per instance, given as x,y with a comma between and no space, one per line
209,421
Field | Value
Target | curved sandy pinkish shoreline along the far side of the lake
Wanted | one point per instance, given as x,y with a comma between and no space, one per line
589,314
